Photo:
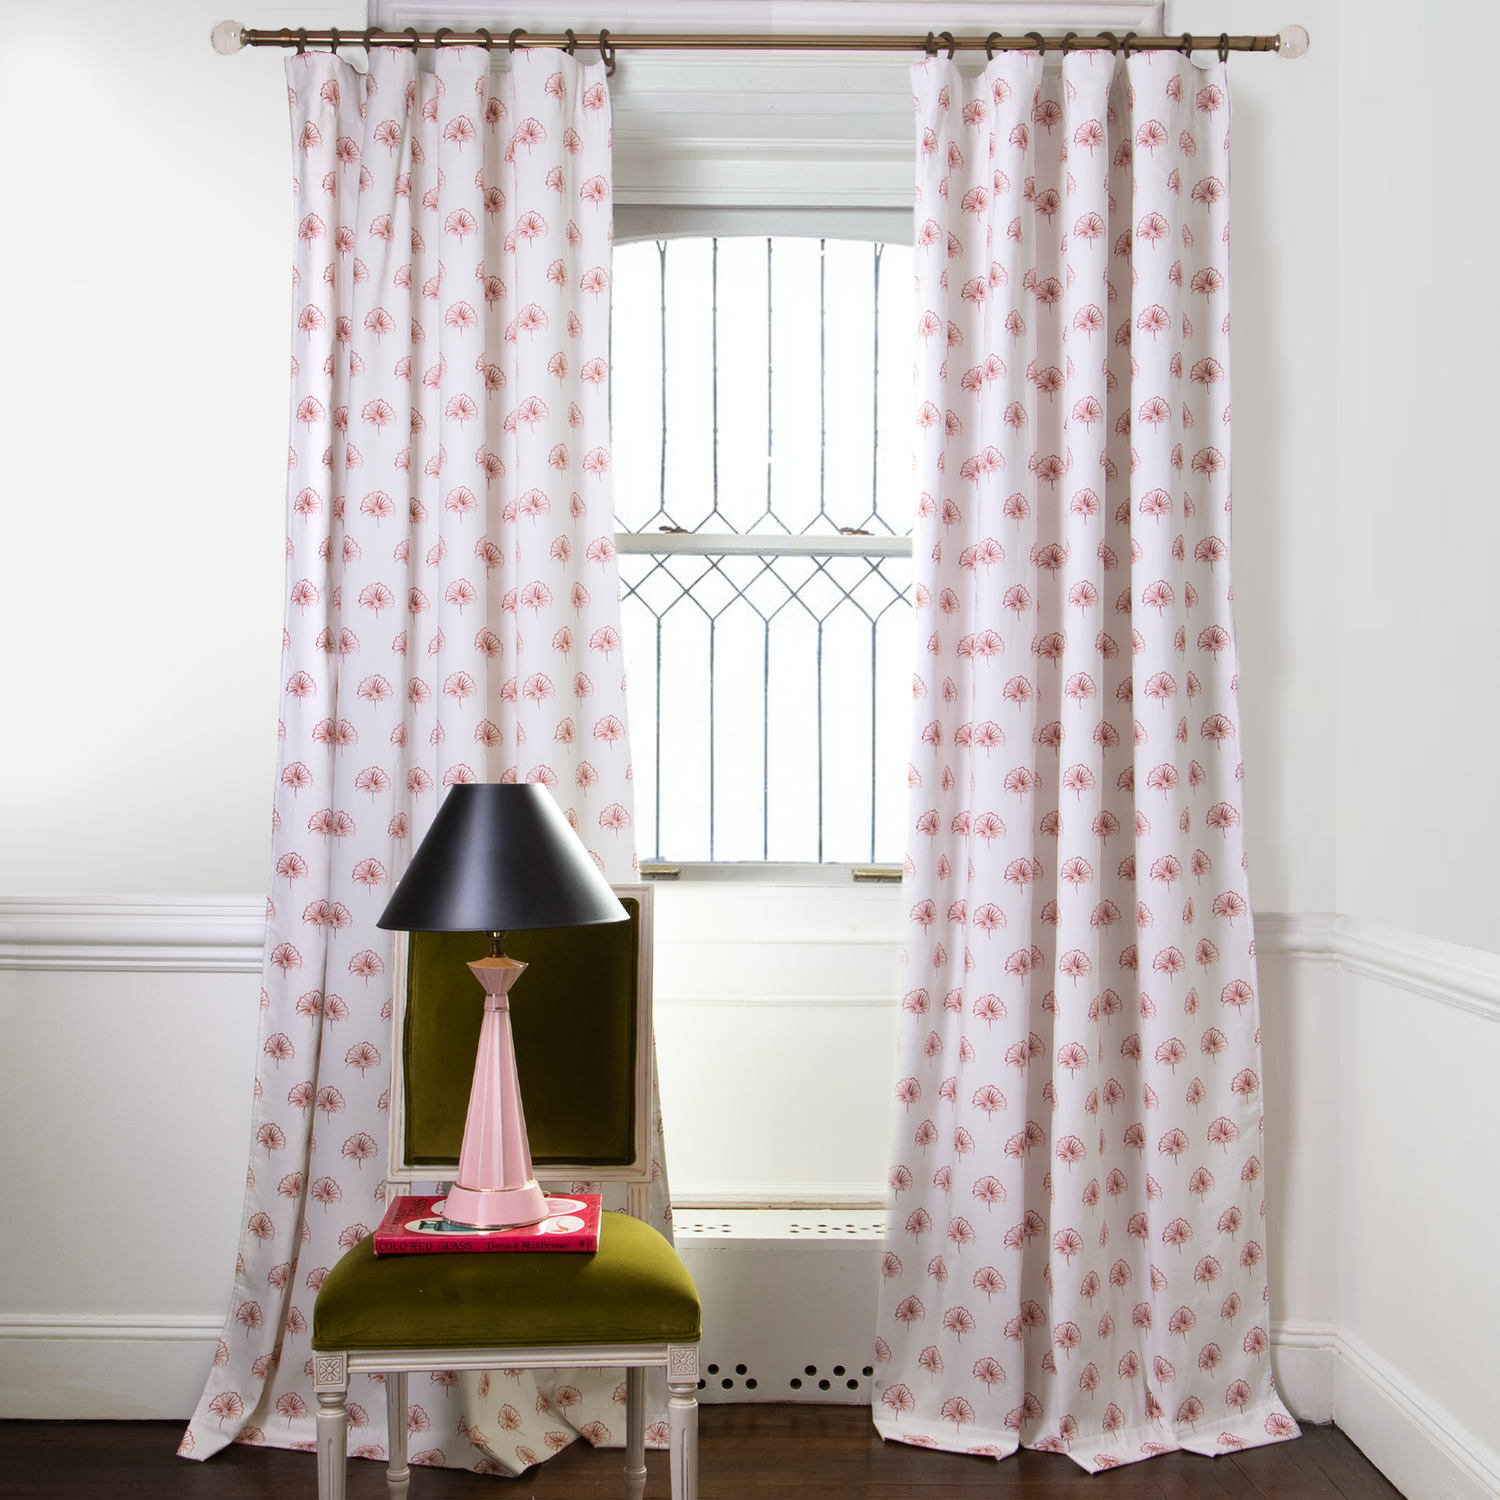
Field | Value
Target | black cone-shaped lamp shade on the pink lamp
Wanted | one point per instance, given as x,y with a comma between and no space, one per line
500,857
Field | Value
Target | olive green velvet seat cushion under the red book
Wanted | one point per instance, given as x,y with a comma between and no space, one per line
632,1291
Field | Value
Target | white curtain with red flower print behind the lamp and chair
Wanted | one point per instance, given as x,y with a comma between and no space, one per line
452,616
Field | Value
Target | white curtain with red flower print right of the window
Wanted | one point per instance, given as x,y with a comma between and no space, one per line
1076,1252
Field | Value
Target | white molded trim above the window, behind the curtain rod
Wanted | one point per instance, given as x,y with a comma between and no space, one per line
785,134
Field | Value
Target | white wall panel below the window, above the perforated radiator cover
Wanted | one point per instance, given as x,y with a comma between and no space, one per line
776,1040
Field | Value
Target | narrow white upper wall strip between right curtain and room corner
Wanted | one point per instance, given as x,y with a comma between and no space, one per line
1286,131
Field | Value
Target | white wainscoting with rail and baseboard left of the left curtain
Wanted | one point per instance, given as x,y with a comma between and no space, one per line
127,1070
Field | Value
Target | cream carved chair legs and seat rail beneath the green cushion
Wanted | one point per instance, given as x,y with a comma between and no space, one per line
331,1382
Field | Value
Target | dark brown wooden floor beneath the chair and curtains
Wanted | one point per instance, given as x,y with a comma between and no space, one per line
746,1453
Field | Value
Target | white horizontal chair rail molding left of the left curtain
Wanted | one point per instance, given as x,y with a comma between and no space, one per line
134,934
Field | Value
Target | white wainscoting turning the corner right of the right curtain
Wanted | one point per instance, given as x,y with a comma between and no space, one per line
1382,1121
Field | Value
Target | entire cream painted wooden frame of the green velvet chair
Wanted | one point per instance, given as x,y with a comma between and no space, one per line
332,1369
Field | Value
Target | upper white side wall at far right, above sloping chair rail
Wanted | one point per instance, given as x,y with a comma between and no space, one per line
1418,487
